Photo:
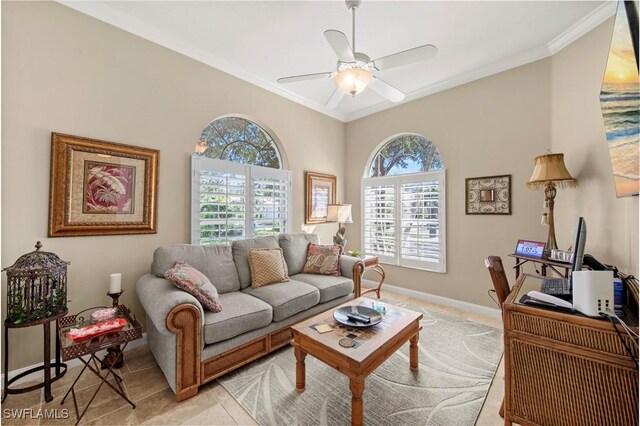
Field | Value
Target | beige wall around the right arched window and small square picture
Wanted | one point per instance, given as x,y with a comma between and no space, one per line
492,126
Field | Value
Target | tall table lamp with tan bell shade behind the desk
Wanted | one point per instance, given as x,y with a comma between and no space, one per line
550,173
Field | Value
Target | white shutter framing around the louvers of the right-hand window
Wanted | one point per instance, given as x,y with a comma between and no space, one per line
397,181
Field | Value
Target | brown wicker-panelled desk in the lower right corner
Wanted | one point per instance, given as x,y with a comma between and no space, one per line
565,369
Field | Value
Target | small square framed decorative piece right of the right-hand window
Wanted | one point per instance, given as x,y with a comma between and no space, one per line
488,195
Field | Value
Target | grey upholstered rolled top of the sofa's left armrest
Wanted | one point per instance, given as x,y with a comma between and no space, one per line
159,297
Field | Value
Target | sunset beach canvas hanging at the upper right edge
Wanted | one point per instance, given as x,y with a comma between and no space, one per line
620,102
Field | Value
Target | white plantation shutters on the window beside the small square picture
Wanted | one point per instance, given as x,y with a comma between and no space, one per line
403,220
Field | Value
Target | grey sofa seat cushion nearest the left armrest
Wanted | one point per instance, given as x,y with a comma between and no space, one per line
240,313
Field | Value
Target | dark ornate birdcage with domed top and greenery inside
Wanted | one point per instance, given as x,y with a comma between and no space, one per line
36,288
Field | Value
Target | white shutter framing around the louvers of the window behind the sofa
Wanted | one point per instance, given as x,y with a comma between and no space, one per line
199,163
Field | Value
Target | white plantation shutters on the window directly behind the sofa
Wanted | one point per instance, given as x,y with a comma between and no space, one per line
232,201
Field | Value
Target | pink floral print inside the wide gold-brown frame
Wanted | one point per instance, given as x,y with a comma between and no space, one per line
108,188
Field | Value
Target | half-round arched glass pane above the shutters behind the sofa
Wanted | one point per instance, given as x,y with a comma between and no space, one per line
238,140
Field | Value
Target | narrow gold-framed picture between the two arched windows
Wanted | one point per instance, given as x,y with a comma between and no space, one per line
320,191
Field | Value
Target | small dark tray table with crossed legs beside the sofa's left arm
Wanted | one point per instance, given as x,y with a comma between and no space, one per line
71,350
